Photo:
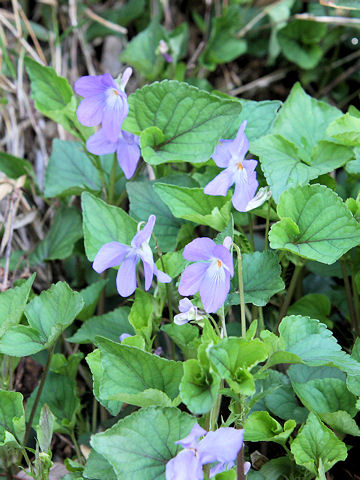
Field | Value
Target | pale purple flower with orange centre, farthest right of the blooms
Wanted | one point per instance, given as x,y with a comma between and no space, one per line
230,154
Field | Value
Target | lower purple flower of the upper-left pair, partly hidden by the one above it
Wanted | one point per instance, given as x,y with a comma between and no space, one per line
126,147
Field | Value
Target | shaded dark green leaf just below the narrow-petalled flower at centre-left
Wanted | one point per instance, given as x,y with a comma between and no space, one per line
110,325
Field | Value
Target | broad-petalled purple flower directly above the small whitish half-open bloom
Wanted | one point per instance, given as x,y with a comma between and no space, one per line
210,275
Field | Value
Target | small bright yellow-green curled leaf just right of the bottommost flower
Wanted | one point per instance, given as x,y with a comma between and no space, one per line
261,427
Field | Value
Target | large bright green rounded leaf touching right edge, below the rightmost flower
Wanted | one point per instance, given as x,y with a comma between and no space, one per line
327,229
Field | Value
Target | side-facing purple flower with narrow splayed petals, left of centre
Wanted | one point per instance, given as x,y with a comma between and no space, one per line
115,253
